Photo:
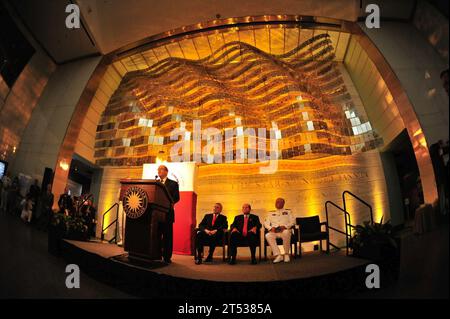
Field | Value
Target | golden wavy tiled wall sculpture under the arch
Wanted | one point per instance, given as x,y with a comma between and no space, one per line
238,86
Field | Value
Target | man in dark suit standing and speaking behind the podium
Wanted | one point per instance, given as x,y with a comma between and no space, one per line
167,227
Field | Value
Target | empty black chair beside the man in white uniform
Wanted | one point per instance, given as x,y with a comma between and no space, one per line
310,229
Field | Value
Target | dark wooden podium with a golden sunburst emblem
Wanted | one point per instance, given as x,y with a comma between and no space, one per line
146,203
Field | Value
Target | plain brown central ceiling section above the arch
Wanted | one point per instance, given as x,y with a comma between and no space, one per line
130,21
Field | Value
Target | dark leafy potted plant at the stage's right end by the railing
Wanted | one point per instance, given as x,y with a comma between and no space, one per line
374,241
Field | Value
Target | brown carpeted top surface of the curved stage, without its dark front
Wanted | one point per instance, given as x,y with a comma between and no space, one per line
310,265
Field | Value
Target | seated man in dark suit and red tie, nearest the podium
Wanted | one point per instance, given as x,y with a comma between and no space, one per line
211,232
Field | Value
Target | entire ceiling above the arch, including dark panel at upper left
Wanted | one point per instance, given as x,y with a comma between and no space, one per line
112,24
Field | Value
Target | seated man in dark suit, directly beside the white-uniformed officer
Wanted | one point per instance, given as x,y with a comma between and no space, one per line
244,230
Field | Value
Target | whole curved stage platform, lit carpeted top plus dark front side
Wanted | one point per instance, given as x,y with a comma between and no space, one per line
314,275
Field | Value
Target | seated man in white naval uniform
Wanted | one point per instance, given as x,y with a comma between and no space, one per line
279,223
